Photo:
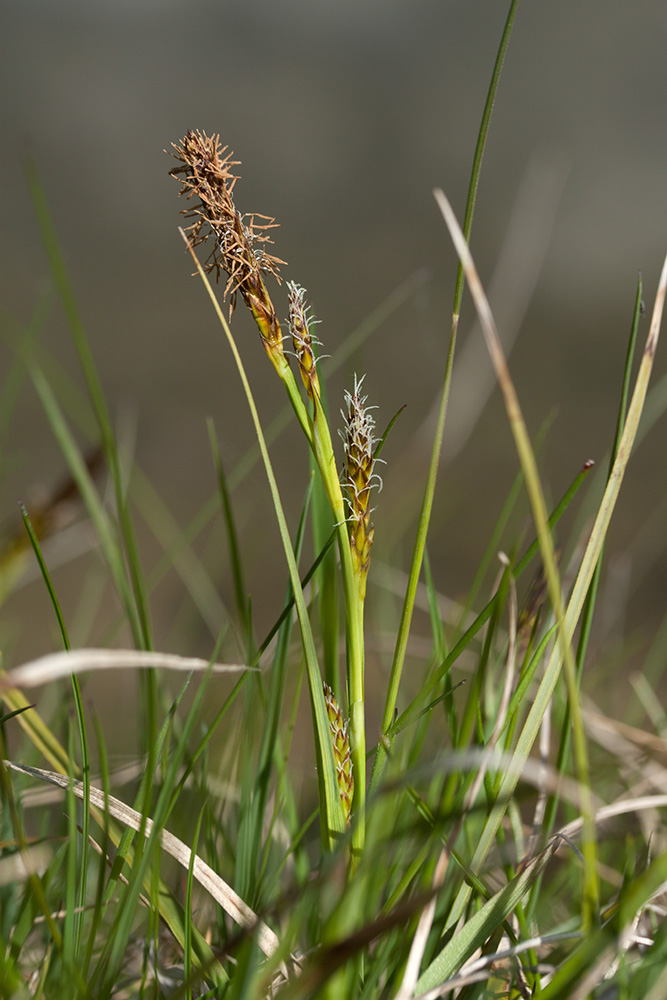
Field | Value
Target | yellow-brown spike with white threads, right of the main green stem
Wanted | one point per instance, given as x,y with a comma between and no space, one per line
359,477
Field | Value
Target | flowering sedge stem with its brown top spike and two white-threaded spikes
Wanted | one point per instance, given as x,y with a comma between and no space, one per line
207,180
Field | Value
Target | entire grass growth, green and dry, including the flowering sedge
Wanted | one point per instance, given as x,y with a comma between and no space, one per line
497,836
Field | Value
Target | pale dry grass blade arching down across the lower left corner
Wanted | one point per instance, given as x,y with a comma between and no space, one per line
223,894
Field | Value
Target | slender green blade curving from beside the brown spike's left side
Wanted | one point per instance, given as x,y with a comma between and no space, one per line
333,823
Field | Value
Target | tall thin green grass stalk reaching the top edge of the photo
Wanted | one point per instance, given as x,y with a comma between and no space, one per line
429,491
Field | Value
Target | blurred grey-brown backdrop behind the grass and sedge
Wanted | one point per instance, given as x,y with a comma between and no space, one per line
345,116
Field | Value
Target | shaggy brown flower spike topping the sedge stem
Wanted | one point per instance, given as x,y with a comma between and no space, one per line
206,175
